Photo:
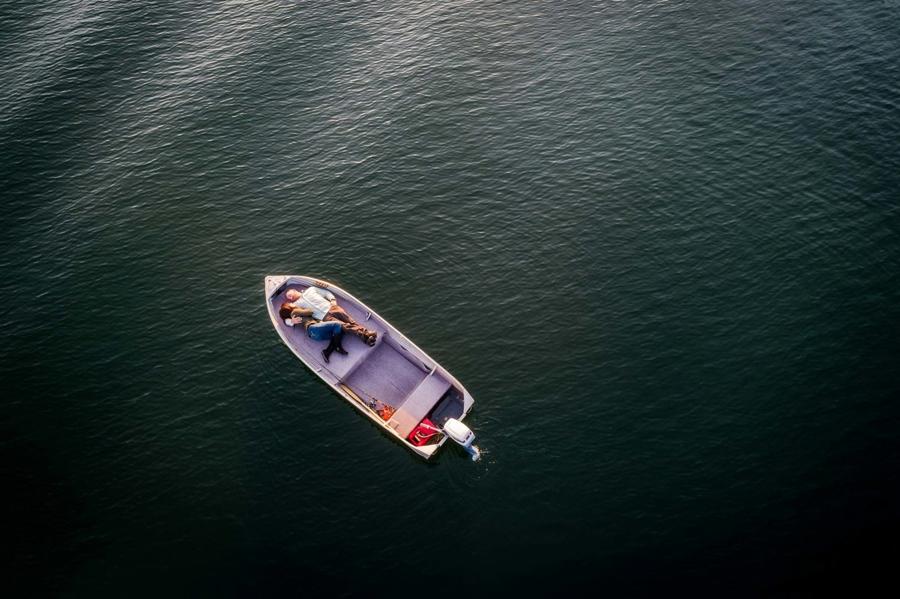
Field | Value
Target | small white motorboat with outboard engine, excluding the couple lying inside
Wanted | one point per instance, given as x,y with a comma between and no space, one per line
393,382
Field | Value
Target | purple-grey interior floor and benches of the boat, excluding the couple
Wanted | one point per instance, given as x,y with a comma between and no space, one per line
387,374
